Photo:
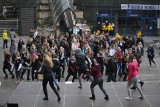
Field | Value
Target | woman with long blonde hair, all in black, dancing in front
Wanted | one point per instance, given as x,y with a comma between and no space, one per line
47,70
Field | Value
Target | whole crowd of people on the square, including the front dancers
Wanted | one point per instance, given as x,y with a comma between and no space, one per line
87,57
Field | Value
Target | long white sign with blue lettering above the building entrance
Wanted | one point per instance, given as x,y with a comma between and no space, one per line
139,7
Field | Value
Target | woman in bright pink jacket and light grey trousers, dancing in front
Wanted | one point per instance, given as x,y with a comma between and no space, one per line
133,77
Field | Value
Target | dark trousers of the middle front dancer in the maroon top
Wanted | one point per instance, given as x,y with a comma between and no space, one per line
99,82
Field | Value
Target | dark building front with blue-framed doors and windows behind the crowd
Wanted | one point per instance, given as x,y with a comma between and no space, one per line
129,16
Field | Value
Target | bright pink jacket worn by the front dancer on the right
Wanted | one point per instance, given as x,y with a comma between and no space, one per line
132,70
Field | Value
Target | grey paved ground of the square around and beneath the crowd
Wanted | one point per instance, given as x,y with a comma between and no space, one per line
30,94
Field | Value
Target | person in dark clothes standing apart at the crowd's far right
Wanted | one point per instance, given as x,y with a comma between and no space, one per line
150,54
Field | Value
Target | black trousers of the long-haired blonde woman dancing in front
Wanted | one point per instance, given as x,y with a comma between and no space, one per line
44,84
